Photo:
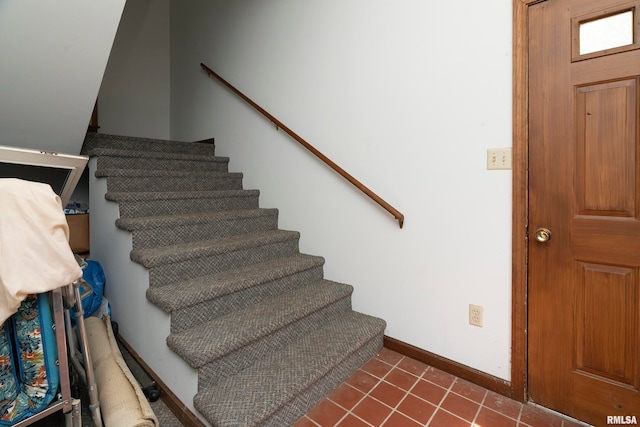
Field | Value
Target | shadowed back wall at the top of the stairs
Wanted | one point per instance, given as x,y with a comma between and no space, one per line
134,96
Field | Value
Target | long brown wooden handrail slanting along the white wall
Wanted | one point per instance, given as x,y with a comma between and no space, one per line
393,211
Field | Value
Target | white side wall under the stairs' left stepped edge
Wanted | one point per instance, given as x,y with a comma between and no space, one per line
141,324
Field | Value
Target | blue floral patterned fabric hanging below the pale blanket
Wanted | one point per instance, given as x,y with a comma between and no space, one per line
29,376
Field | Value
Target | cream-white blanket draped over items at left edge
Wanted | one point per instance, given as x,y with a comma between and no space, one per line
35,255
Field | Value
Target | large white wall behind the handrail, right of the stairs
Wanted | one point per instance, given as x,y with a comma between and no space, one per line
406,96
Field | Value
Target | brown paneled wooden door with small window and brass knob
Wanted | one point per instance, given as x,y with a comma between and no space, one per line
584,187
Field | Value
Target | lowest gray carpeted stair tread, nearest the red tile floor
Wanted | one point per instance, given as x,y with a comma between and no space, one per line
251,396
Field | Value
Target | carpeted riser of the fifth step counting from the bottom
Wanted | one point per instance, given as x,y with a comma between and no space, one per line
143,239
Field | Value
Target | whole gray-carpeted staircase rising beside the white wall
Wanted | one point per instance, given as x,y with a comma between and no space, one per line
268,336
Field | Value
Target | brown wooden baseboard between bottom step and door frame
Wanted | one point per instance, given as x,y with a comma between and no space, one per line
475,376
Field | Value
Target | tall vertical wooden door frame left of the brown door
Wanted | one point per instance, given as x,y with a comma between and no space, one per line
520,198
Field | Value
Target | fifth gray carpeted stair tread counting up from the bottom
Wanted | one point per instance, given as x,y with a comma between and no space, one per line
164,221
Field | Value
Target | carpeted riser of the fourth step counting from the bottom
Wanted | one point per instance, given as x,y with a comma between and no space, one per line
185,270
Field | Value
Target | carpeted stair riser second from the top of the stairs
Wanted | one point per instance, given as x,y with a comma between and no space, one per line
108,162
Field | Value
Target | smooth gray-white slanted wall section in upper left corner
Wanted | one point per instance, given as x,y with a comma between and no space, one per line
53,57
